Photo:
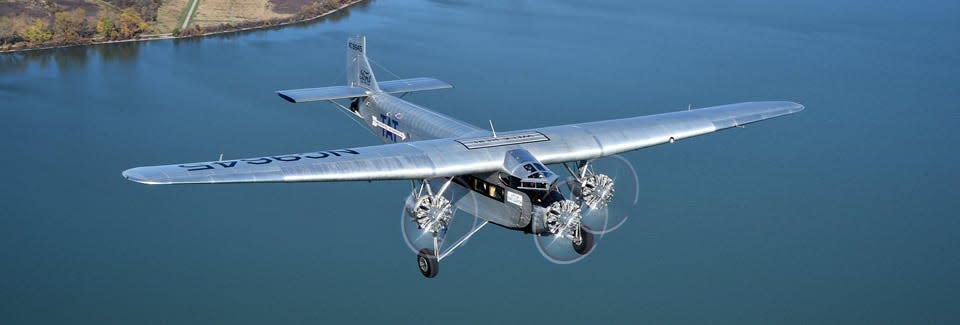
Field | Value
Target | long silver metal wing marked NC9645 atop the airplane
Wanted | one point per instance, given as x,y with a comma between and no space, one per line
460,156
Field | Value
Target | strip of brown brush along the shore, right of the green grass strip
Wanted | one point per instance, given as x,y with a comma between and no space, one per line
314,10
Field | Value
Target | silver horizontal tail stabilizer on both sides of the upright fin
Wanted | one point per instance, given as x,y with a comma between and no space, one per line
341,92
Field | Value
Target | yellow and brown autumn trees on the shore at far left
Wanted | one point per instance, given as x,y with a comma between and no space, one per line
68,28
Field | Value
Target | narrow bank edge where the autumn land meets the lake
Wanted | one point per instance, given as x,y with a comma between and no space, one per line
309,13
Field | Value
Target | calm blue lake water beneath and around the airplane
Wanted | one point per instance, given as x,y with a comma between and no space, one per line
843,213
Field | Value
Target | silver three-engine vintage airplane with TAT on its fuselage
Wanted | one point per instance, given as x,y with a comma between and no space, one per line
456,168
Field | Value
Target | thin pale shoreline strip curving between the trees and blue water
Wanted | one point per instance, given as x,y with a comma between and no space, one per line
154,37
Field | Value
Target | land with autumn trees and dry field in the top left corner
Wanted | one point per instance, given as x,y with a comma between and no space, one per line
28,24
